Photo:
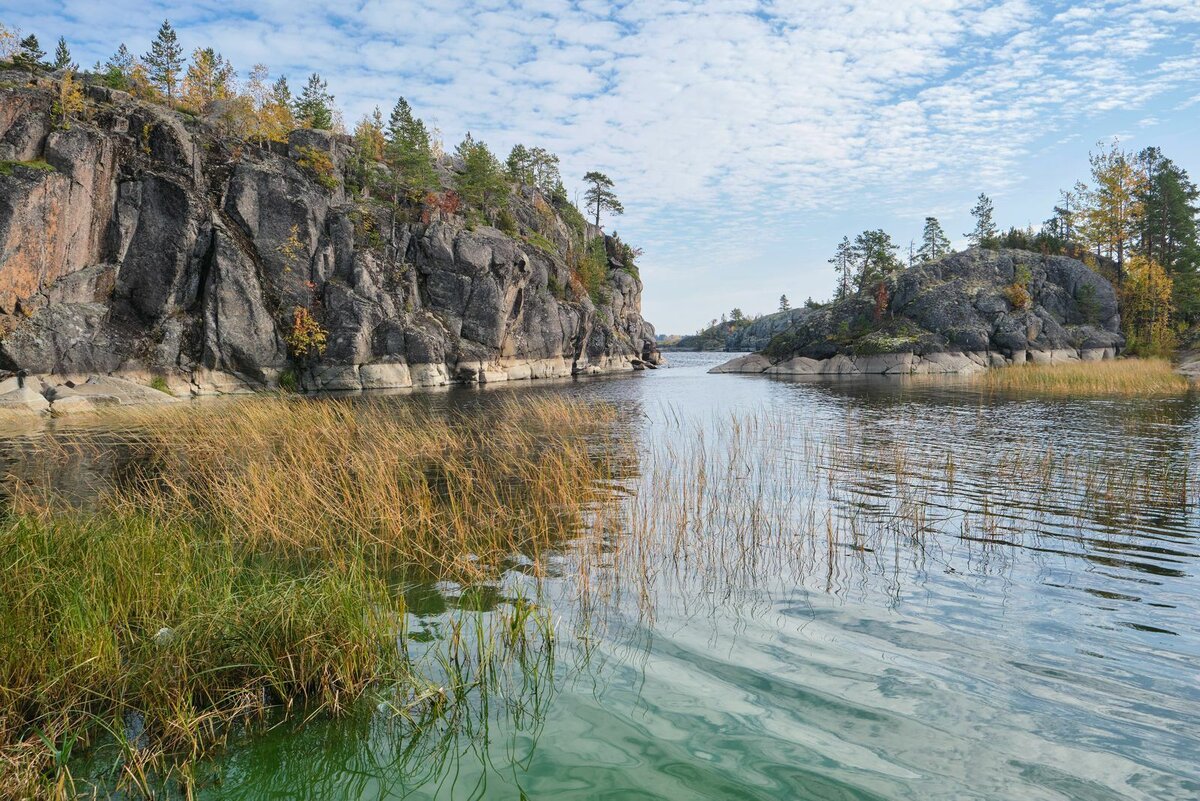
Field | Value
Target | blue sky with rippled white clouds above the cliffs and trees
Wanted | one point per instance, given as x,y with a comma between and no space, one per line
745,137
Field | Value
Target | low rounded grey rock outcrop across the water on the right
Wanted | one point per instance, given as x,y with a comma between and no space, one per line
967,312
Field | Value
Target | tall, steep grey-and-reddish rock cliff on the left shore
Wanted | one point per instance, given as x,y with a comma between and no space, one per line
146,245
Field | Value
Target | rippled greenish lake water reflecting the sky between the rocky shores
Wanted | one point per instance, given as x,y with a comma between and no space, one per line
1000,635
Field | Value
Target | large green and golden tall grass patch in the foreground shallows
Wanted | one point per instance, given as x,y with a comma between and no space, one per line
250,556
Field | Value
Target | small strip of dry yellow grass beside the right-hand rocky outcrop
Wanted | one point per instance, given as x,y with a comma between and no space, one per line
1120,377
